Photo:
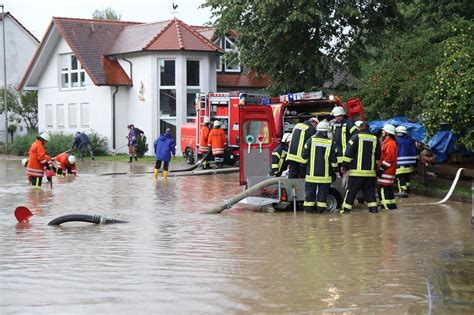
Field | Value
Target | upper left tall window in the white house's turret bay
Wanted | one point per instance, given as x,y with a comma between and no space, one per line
167,88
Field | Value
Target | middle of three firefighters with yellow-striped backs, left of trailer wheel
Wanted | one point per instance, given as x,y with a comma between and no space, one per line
320,152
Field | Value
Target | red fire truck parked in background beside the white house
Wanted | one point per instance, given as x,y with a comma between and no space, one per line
222,106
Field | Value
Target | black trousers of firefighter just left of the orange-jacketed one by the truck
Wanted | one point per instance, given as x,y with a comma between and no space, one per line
367,185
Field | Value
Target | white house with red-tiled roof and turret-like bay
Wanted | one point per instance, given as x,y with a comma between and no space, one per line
103,75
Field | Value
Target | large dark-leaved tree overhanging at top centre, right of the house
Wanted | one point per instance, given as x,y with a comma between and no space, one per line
297,42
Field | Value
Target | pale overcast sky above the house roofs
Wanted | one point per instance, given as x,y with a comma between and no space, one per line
36,15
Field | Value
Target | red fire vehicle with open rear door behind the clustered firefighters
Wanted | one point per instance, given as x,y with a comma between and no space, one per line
262,127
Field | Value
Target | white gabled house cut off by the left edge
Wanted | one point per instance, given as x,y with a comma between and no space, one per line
20,45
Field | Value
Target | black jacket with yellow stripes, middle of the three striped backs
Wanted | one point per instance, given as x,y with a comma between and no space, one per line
321,155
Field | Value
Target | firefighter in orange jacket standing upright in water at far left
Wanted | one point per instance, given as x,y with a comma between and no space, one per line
37,161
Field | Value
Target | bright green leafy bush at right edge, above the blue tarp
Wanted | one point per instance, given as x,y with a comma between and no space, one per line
450,98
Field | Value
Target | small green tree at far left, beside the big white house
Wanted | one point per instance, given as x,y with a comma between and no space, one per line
22,106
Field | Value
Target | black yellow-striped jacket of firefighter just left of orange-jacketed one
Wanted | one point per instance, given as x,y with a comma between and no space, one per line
362,153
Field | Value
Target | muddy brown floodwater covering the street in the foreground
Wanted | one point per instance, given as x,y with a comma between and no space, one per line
171,258
